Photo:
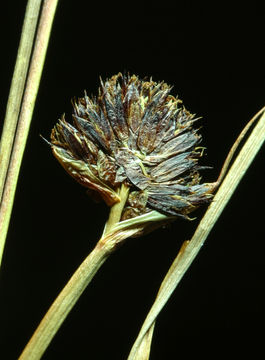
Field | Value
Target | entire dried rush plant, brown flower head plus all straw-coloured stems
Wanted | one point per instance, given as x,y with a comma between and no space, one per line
134,146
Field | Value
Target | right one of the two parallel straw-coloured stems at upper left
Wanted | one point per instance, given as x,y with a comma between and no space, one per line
32,85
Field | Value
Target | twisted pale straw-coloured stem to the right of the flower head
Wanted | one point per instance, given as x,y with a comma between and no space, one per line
191,248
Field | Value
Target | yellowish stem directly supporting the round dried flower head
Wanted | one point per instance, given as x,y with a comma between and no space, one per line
70,294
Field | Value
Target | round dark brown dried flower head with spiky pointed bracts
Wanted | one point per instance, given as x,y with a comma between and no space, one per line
135,133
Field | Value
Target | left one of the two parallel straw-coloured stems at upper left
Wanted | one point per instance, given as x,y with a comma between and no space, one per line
17,87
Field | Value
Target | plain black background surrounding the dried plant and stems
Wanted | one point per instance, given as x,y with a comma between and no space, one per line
213,54
